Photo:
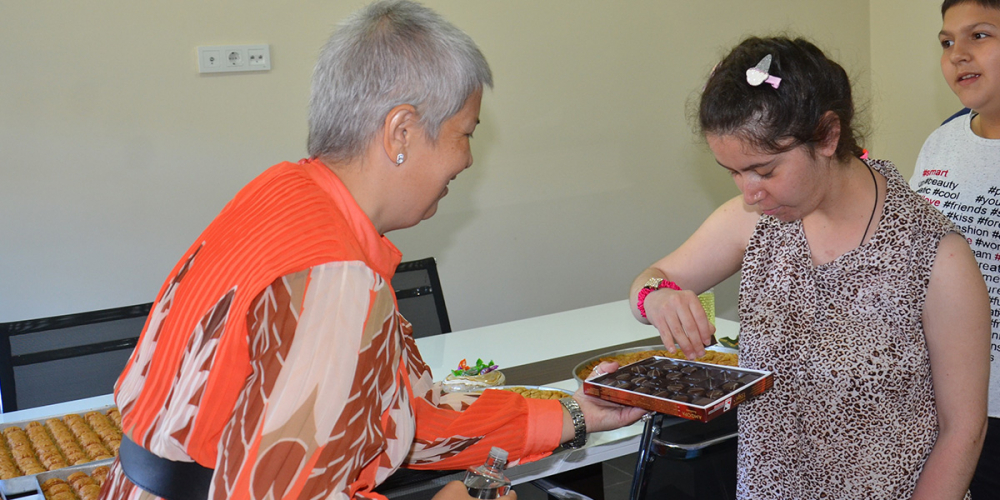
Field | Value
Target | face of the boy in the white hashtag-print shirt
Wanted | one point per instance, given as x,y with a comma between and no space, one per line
970,58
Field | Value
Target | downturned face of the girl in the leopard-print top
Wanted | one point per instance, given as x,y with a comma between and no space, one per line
785,185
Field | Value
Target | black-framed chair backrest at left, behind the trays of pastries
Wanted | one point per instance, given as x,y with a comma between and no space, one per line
61,358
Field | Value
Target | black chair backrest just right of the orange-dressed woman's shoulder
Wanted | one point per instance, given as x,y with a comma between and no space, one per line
420,299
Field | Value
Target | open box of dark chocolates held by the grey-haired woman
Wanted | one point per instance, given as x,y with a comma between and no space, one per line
687,389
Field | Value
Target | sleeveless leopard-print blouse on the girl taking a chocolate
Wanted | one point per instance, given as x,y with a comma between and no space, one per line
852,411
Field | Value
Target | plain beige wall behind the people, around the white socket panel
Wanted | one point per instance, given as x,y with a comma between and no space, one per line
116,152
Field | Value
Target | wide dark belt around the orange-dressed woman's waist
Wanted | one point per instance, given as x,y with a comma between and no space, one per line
163,477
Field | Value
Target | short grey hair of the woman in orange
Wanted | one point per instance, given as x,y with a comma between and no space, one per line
389,53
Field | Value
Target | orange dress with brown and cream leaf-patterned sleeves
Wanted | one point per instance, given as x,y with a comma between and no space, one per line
275,355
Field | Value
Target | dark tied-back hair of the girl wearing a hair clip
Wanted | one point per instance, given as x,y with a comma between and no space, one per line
778,120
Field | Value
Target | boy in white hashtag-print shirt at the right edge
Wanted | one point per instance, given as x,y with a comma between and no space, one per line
958,171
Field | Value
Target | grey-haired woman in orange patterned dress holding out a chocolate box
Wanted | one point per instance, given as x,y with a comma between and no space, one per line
274,363
